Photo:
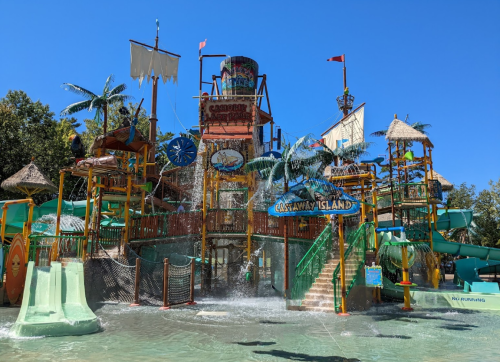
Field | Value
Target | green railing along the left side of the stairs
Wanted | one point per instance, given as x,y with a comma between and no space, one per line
312,263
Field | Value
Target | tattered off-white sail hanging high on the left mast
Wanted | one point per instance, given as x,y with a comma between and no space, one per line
143,62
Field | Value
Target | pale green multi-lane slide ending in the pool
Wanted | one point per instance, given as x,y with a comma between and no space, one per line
54,303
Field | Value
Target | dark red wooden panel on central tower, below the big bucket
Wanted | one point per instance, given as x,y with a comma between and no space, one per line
228,111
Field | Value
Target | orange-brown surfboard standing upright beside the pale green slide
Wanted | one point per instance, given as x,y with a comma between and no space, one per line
15,269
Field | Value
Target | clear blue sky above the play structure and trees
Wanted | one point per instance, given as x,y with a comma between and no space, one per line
438,61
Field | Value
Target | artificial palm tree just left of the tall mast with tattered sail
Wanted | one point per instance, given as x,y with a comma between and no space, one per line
93,101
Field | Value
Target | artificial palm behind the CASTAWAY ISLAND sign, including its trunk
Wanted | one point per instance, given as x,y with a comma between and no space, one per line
296,162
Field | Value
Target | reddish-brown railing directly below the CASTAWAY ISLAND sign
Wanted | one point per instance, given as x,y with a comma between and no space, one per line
299,227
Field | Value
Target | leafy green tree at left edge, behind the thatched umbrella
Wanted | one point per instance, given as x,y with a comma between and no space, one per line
28,129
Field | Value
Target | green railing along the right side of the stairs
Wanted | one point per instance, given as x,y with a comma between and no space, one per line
354,260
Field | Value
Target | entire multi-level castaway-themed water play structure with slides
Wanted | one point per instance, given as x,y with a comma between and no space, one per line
220,220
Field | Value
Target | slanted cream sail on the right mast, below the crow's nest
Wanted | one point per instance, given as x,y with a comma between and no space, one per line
347,132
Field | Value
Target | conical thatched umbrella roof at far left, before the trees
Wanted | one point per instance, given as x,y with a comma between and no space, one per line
29,180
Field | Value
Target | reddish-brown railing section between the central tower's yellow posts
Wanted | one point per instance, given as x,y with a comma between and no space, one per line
227,221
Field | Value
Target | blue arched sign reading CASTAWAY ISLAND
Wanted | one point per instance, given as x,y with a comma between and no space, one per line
314,197
